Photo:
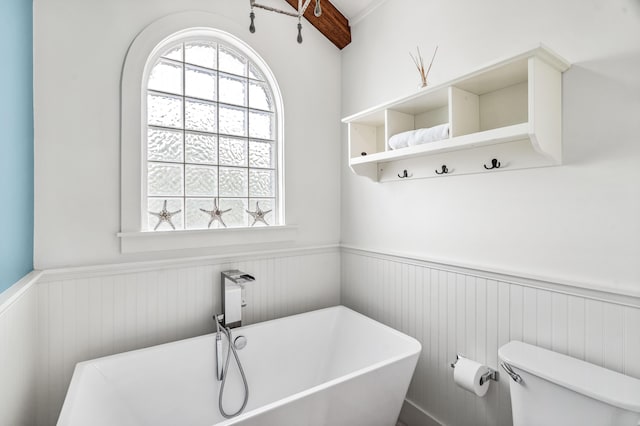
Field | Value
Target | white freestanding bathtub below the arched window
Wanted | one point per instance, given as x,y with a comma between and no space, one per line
327,367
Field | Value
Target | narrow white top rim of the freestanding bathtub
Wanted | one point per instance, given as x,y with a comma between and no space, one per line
414,350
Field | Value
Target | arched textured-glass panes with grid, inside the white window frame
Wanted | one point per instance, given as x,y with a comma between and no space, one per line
211,137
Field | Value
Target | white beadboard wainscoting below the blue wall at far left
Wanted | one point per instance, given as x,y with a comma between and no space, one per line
18,352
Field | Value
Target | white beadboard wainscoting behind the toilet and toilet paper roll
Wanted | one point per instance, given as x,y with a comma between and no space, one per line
456,310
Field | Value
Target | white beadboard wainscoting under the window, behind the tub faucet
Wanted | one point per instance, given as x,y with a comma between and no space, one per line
84,313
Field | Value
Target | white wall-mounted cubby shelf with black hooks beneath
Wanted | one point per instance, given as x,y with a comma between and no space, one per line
509,111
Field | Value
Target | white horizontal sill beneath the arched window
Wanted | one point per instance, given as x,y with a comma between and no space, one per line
146,241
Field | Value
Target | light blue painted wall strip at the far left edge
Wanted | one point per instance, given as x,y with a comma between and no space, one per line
16,141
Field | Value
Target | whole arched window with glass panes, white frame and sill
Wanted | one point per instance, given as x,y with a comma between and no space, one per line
201,126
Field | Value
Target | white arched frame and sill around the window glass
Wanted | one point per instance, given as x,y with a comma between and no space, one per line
137,65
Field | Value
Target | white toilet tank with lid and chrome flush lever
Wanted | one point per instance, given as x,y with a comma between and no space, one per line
551,389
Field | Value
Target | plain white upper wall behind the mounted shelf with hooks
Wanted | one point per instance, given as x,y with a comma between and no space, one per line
577,223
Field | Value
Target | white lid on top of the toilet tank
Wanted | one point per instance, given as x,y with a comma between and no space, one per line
588,379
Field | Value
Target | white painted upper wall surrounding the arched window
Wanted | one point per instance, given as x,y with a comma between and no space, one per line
79,49
